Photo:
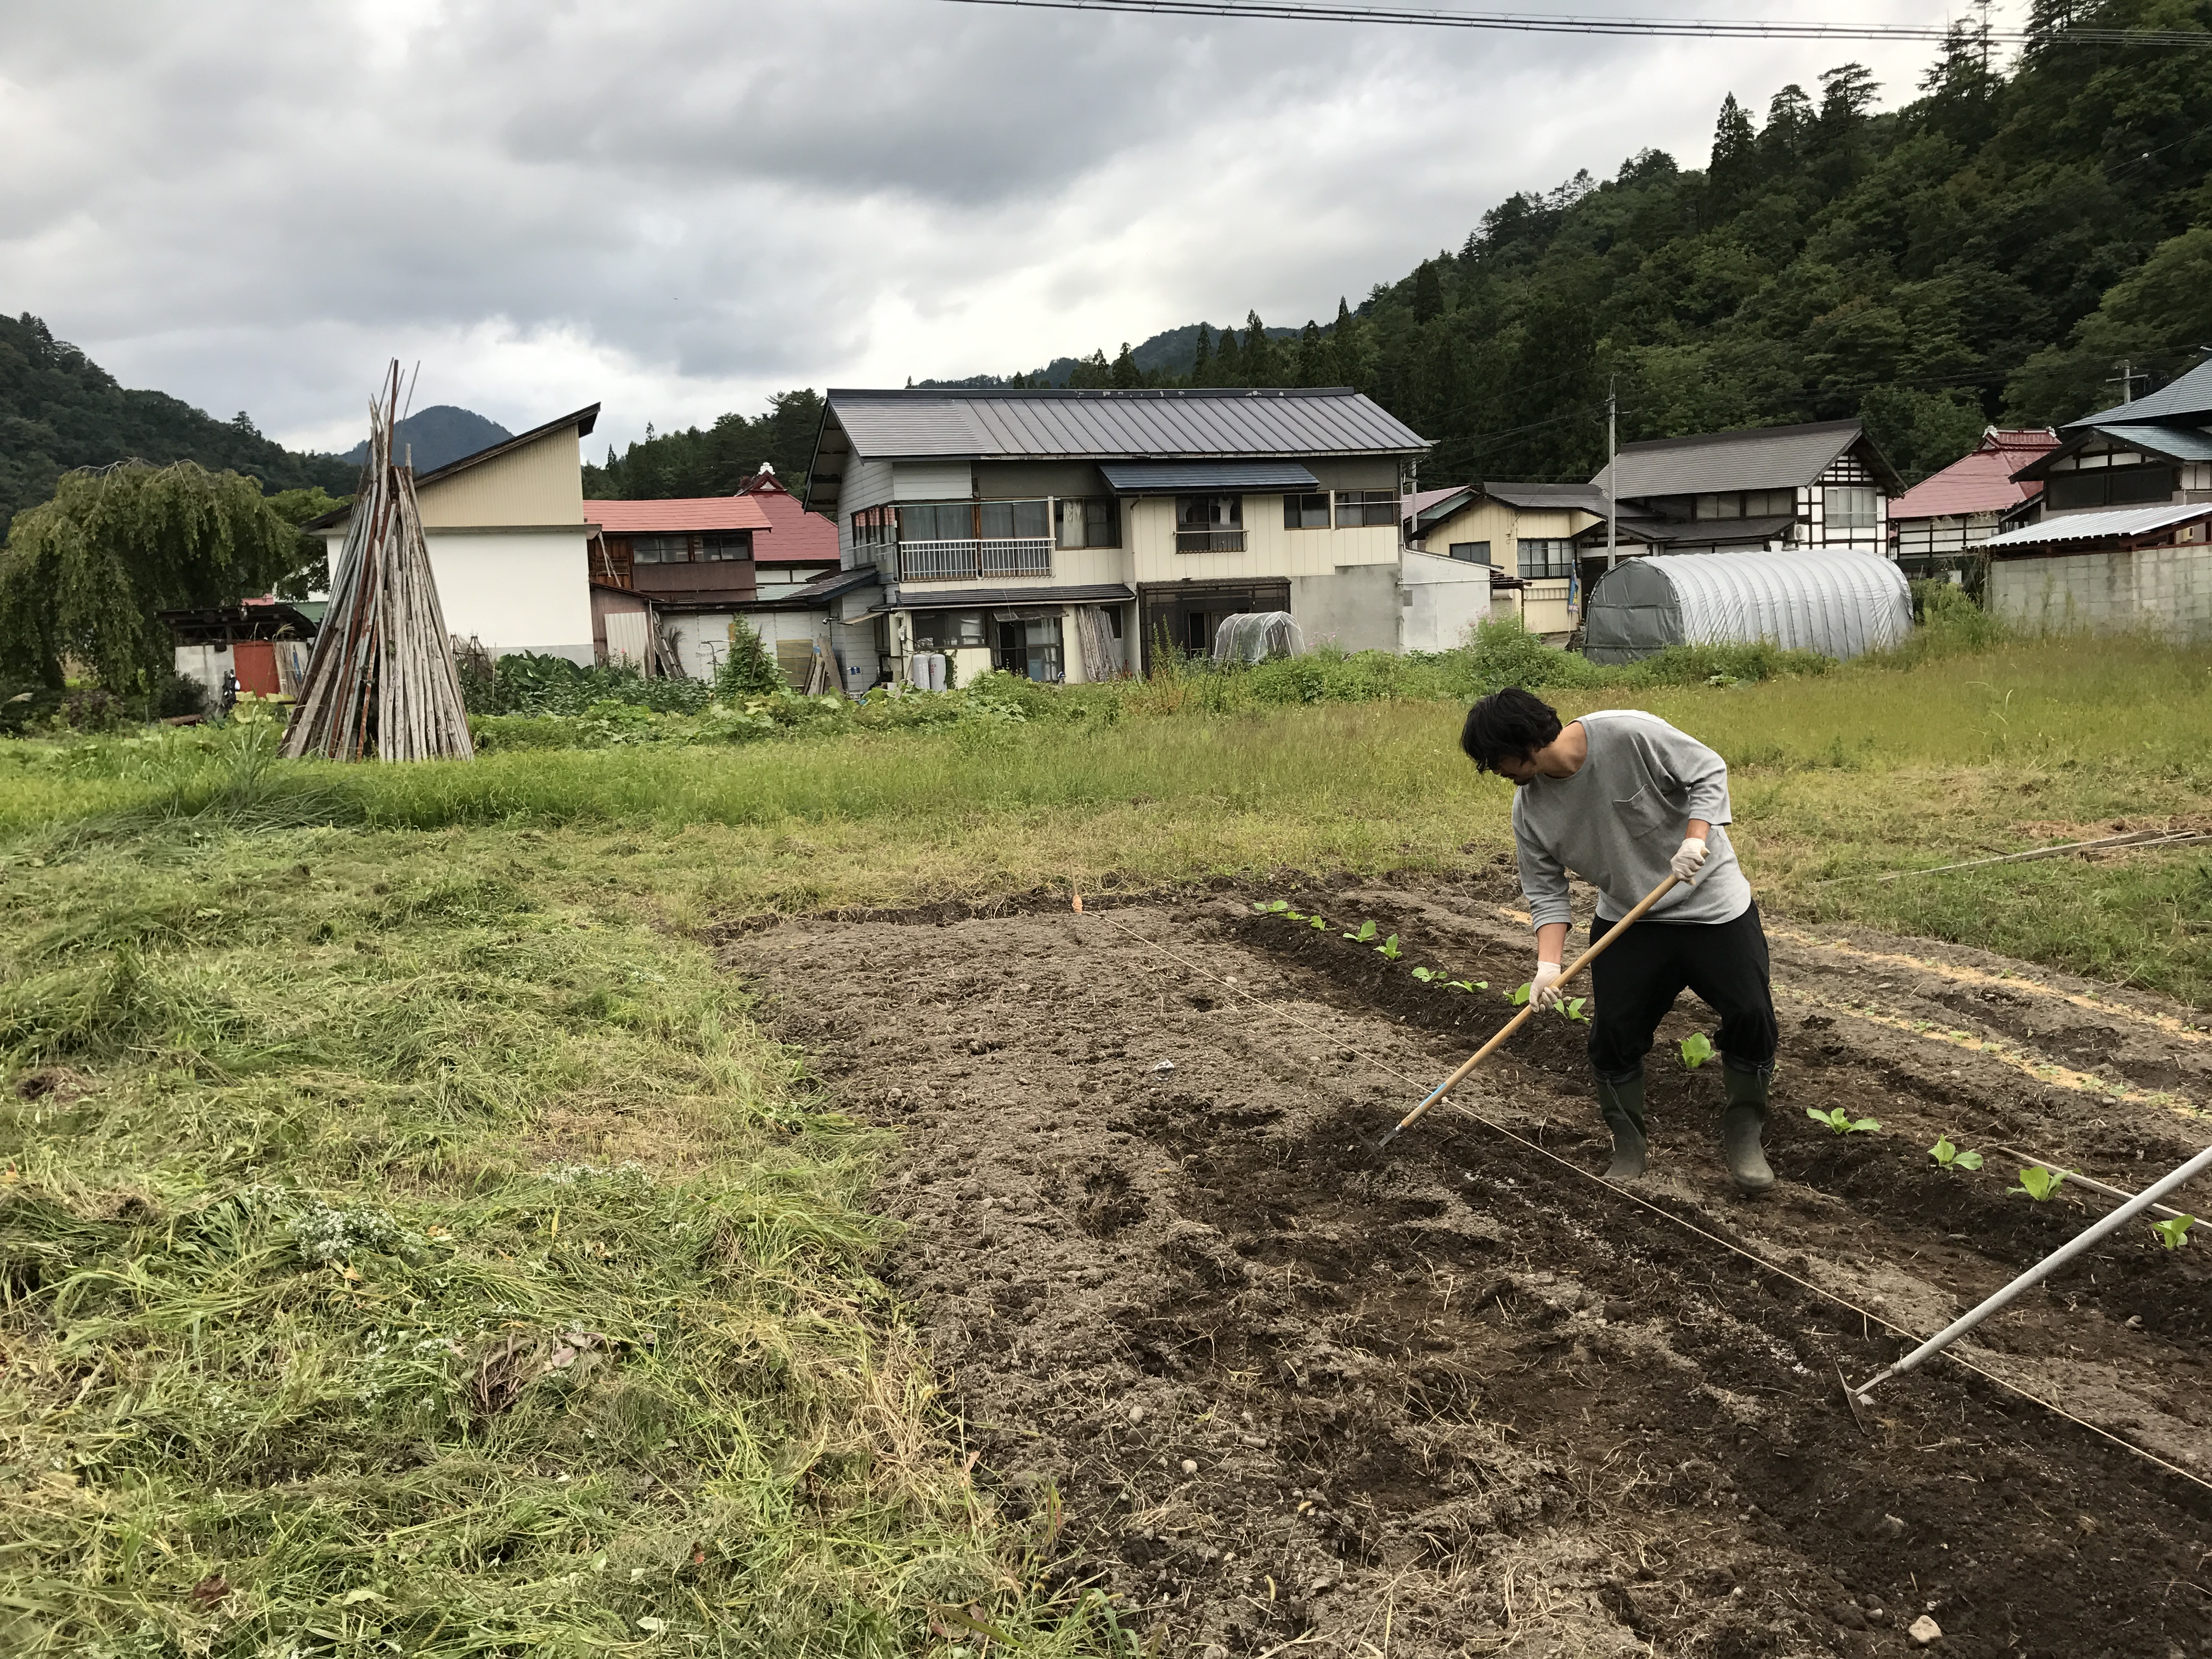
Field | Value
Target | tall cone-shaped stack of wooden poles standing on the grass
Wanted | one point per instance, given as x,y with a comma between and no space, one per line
382,678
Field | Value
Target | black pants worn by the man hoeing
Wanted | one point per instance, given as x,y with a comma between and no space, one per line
1653,963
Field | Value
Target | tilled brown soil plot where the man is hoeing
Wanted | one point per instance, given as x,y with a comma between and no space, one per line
1470,1399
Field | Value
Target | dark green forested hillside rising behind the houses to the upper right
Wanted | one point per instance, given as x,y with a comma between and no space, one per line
2003,247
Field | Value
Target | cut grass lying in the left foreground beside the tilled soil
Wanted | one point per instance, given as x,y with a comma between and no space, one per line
399,1262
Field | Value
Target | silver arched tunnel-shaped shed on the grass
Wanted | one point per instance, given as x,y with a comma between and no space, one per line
1822,601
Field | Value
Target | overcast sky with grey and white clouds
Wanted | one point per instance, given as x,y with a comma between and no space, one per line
678,207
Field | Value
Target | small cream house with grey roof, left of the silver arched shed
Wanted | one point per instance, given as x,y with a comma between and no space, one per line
1523,534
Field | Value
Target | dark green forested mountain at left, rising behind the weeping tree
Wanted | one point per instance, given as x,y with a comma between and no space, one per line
61,410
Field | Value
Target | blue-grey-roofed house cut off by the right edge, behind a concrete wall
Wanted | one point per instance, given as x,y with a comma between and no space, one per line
2120,534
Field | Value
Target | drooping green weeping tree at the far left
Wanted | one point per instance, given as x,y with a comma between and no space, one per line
85,574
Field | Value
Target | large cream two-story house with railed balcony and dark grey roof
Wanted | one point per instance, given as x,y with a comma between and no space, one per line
1076,534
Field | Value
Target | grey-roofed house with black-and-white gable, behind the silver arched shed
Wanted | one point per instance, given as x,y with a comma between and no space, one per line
1764,490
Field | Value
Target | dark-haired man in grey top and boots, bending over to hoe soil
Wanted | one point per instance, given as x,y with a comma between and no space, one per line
1623,800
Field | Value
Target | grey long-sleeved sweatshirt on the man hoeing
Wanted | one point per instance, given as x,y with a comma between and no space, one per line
1620,820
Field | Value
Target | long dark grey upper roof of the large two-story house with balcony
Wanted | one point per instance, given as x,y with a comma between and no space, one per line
1118,426
